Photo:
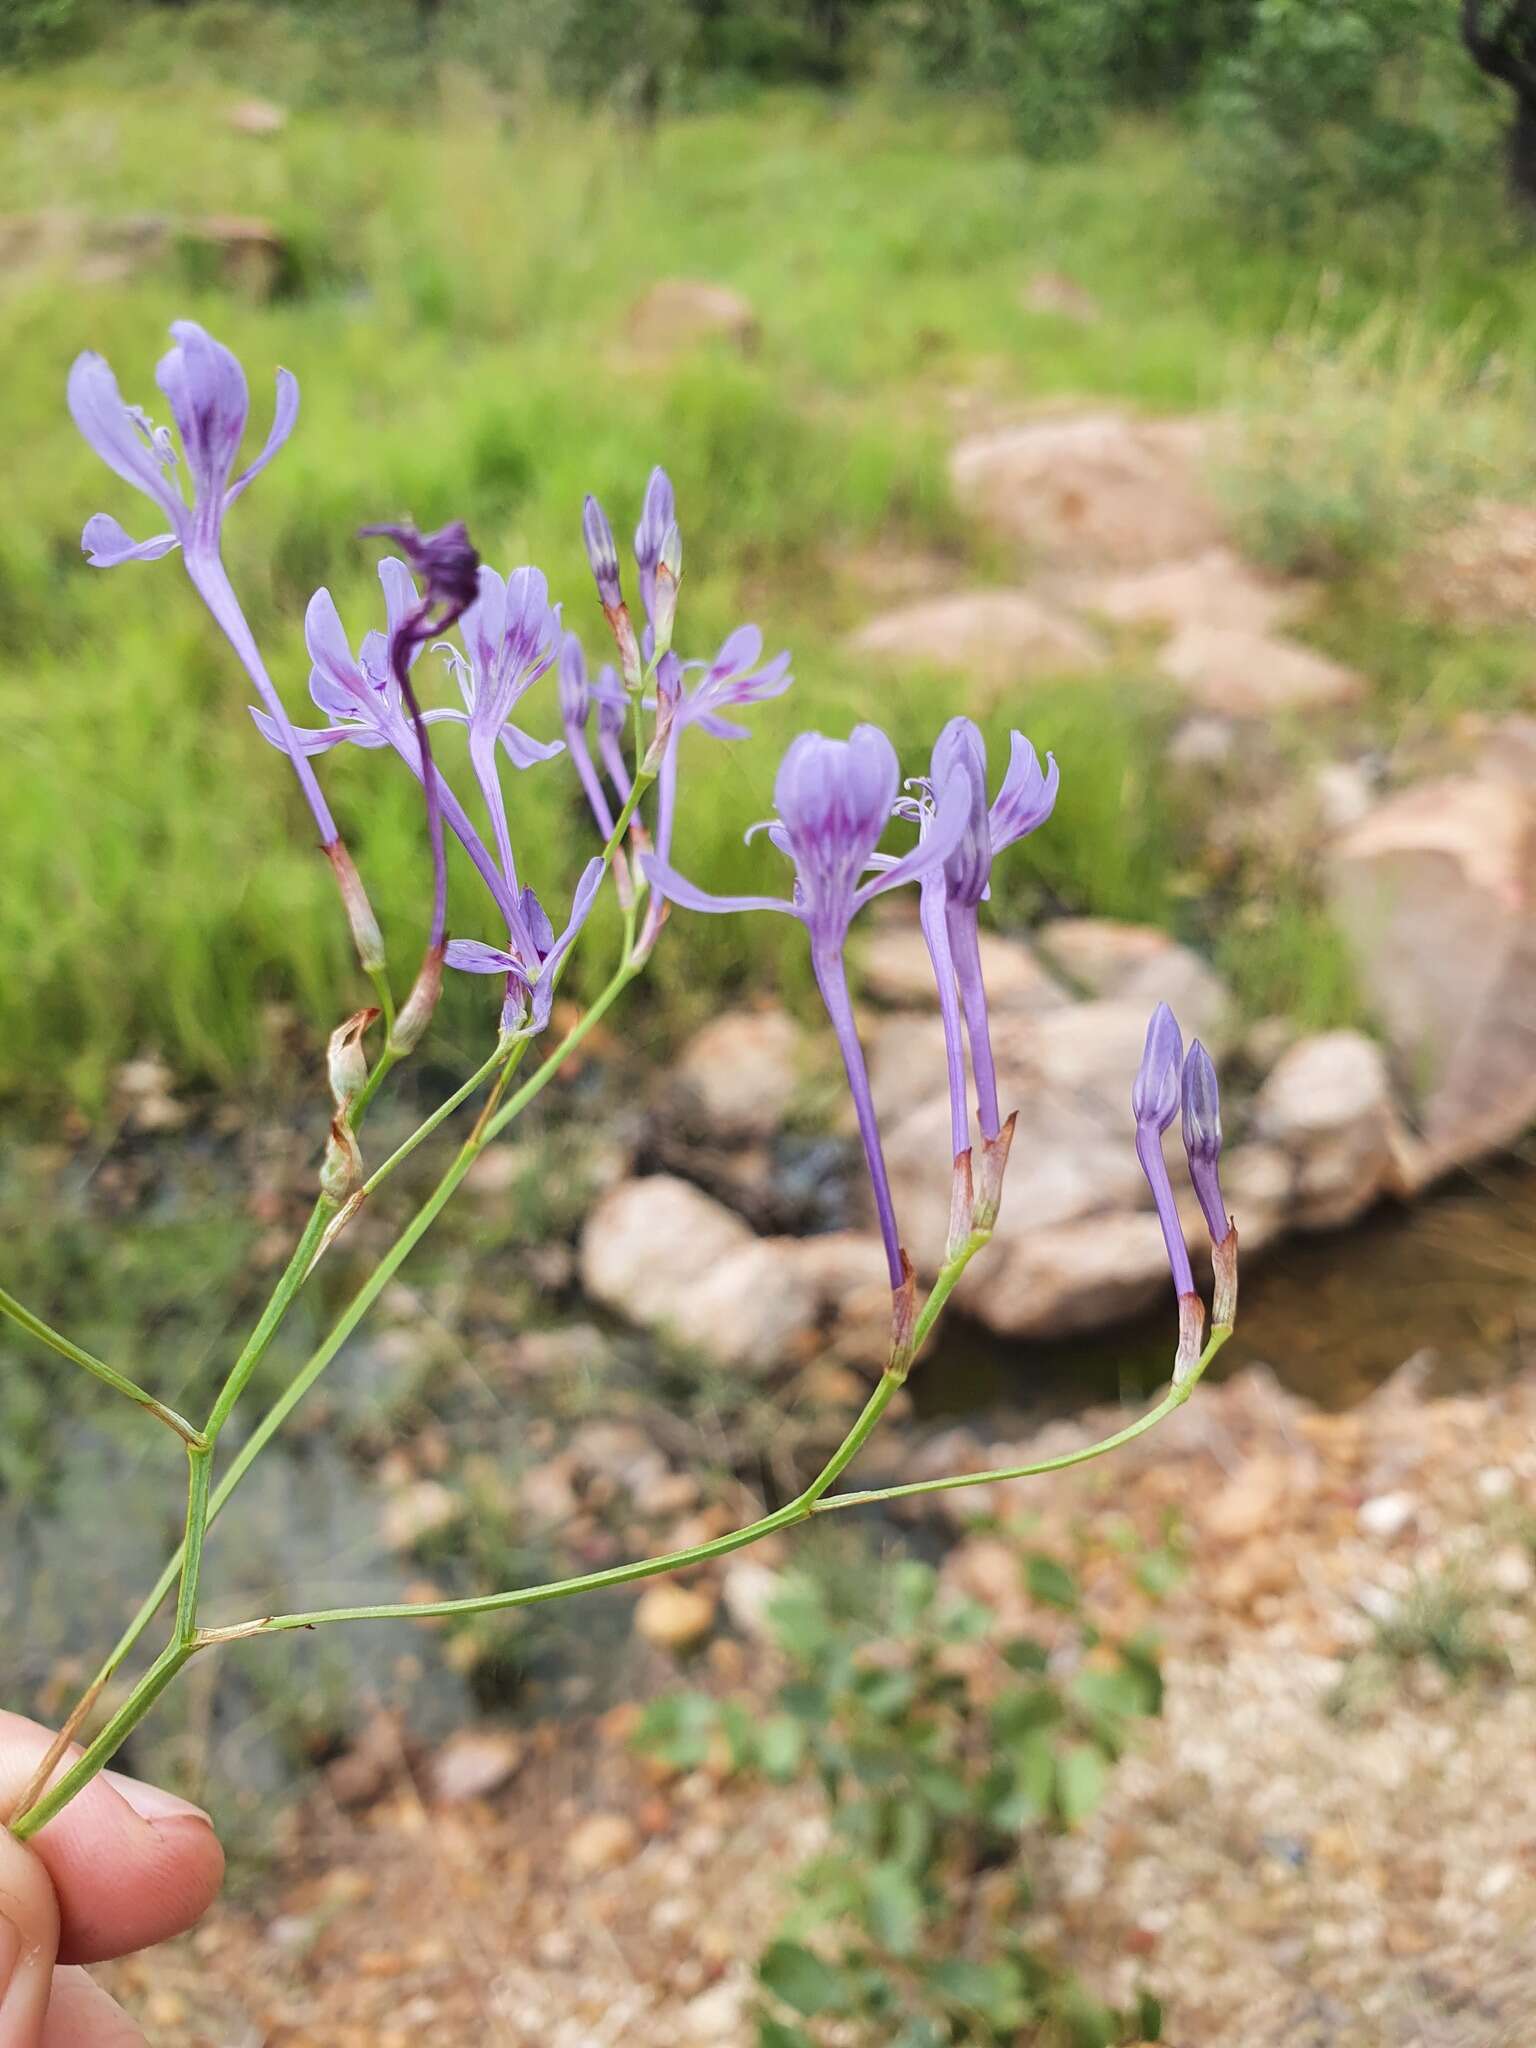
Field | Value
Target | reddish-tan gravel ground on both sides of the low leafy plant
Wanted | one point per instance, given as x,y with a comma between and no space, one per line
1326,1842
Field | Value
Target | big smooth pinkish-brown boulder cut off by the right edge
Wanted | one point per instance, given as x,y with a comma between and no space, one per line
1437,896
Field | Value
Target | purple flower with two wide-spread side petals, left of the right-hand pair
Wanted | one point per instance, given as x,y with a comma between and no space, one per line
835,802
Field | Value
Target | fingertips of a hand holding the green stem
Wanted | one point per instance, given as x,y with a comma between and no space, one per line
124,1867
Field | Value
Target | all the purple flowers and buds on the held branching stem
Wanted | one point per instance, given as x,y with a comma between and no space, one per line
835,800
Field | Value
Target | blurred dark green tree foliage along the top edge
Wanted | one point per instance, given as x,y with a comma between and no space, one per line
1302,105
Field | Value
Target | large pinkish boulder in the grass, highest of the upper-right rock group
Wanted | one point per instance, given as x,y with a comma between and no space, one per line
1093,490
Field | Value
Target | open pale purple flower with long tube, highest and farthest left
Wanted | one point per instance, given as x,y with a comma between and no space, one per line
210,402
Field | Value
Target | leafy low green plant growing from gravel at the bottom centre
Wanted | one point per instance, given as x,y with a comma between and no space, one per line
943,1746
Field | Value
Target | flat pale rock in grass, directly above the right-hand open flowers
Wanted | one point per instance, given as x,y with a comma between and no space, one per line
996,640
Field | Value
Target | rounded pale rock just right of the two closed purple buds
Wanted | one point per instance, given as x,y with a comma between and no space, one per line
1330,1105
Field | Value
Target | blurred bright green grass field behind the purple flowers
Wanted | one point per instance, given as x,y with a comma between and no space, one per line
456,308
